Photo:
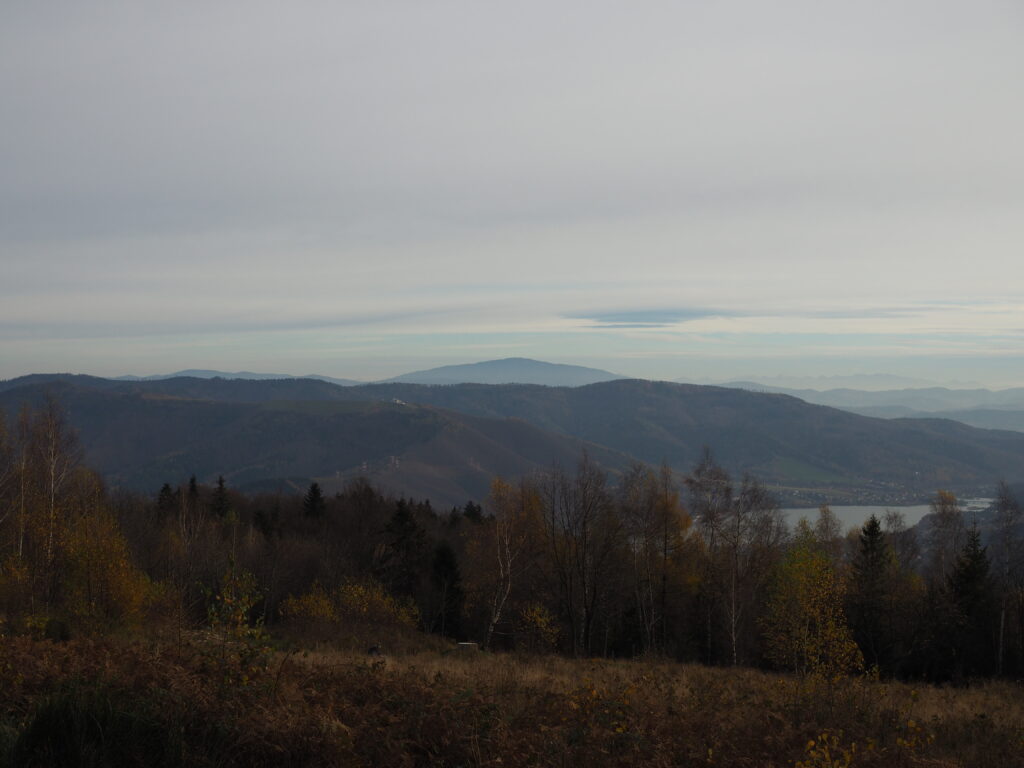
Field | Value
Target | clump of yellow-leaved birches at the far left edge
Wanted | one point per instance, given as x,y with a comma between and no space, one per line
64,564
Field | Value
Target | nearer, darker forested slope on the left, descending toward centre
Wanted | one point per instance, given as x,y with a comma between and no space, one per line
143,440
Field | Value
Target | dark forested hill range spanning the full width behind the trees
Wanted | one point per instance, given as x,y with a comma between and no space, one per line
268,430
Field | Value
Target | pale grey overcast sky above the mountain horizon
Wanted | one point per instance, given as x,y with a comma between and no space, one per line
703,190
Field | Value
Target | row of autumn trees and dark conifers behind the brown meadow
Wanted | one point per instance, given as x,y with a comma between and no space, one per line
702,568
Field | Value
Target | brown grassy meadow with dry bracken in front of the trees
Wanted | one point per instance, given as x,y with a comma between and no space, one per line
120,703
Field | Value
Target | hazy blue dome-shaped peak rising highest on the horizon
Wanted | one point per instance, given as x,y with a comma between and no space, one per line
509,371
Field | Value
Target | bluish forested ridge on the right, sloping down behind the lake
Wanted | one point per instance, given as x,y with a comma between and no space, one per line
780,439
